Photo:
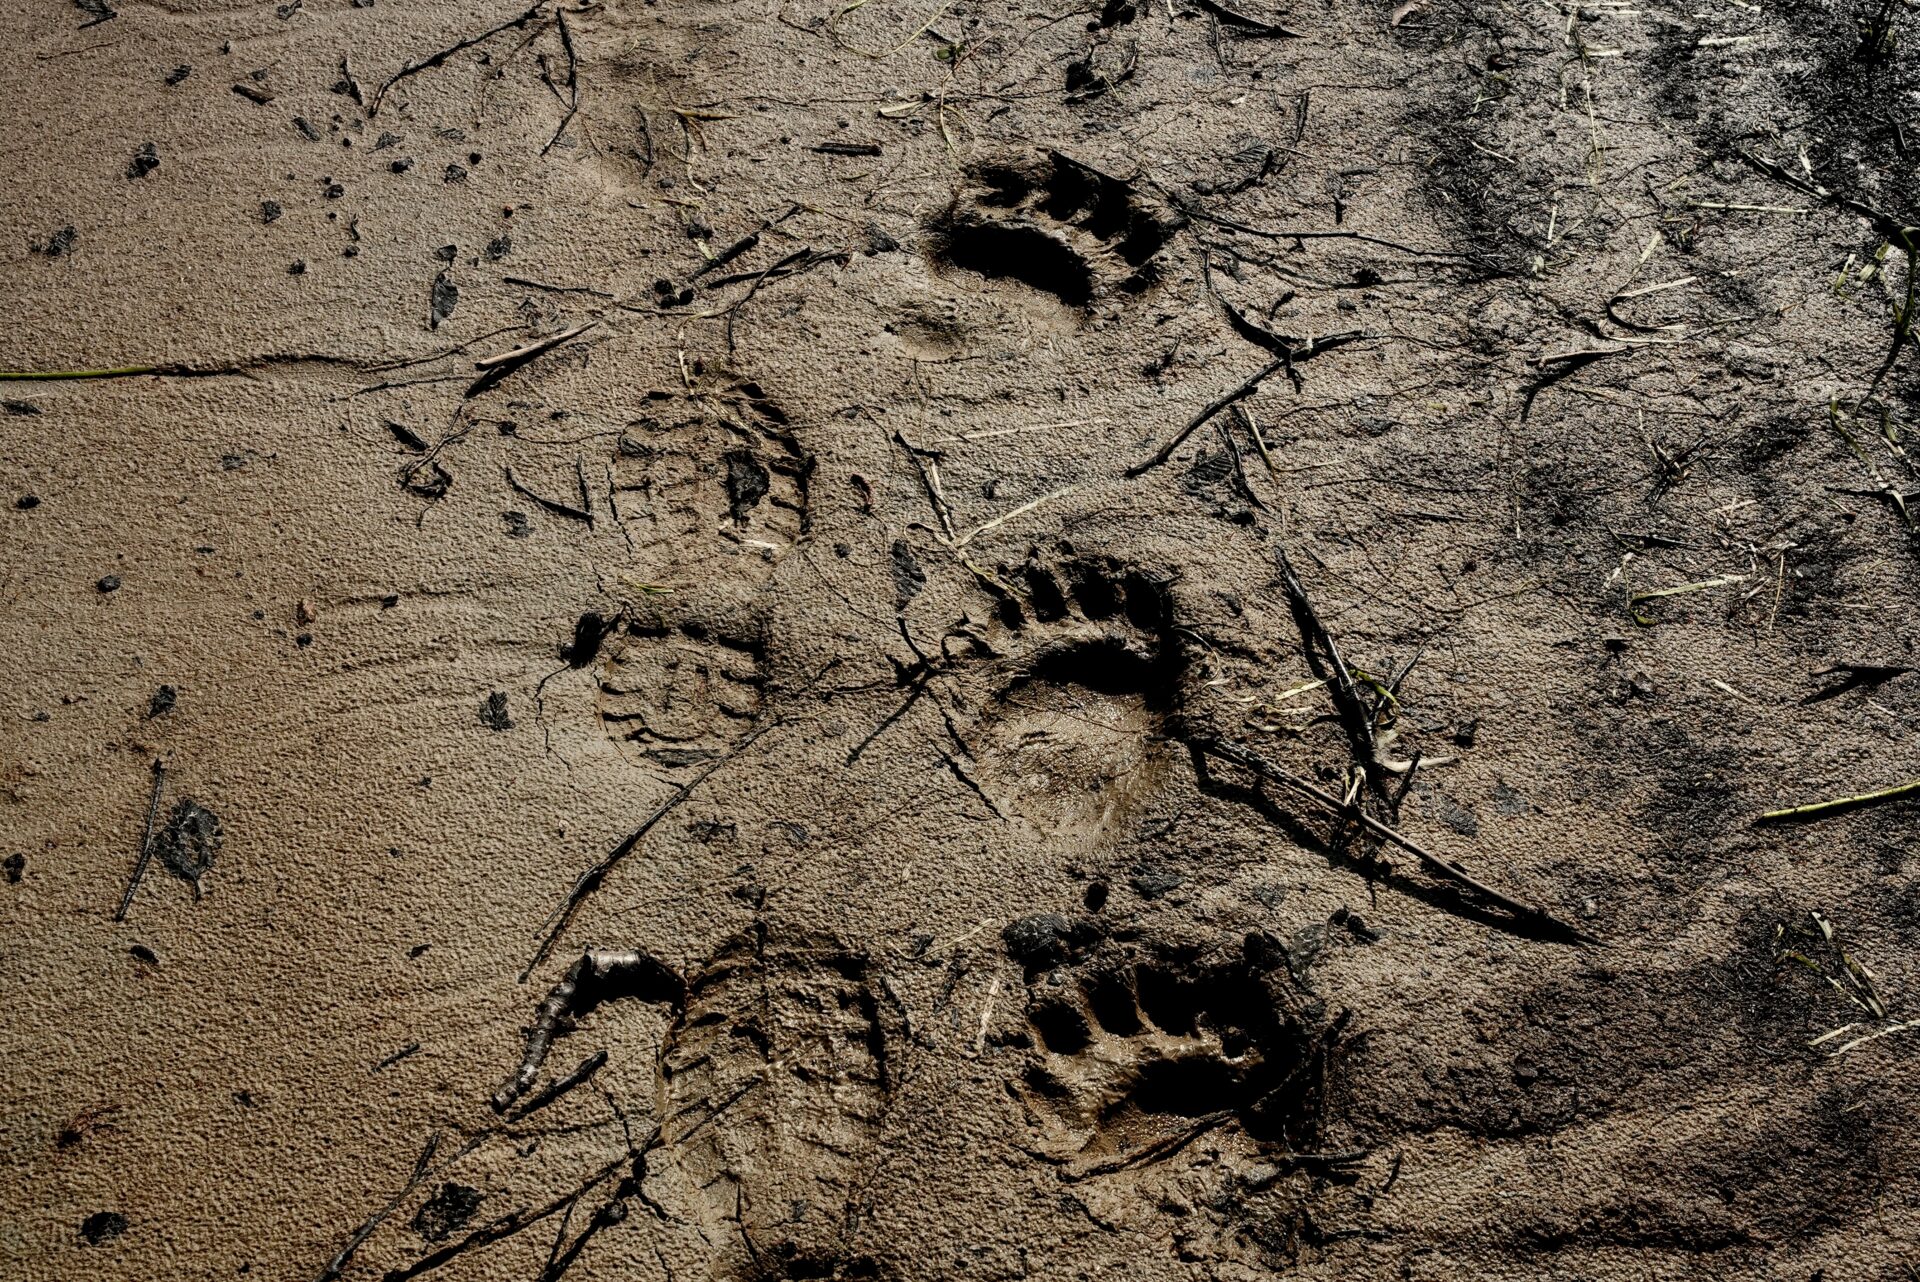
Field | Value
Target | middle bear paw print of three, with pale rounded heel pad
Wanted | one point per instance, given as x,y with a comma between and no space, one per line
1074,734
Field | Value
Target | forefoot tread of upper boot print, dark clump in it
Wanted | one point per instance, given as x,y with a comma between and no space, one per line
711,485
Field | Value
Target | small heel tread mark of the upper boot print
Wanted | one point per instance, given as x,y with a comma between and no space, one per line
679,696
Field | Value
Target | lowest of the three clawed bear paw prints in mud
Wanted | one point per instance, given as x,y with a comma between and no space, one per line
1141,1051
